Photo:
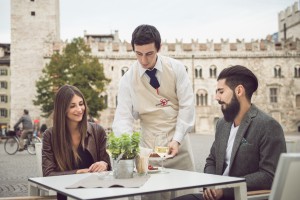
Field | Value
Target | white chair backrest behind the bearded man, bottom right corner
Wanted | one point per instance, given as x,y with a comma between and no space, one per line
286,181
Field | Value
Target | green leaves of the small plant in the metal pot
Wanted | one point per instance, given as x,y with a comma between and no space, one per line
125,143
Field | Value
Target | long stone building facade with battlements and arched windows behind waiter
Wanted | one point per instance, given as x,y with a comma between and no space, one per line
276,65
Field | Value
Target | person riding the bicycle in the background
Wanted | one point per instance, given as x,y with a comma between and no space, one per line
27,127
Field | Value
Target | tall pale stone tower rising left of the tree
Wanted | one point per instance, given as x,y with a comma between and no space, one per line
34,29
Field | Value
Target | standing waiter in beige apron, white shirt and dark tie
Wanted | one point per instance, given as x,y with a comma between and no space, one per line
157,90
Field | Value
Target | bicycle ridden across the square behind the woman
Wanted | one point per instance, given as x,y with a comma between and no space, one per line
12,144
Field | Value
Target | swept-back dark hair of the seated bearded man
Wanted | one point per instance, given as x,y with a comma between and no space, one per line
240,75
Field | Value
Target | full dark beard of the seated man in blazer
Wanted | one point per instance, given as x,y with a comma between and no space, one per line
231,110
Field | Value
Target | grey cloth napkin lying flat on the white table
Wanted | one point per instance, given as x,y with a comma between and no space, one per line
94,181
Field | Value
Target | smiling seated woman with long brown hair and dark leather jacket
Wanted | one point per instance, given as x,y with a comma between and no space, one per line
73,145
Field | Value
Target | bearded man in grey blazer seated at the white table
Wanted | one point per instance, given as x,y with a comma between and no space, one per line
248,142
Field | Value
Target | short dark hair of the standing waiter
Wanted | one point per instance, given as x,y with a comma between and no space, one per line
146,34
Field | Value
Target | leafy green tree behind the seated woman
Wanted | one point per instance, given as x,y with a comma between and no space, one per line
74,66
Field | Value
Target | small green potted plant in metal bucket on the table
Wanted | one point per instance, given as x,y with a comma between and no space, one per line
123,150
